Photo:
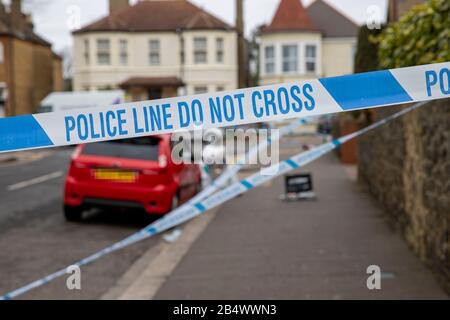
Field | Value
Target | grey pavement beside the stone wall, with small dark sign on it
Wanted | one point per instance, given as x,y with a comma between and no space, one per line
259,247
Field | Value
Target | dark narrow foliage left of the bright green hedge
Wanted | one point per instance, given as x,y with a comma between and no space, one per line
366,58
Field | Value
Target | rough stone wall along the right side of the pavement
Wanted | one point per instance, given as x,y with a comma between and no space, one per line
406,166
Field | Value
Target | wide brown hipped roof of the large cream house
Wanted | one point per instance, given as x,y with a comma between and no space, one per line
157,15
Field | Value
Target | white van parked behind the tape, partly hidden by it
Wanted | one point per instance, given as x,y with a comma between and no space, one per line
62,101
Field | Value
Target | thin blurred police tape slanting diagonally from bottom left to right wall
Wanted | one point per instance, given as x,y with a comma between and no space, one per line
195,209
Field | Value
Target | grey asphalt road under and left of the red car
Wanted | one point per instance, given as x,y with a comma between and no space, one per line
35,239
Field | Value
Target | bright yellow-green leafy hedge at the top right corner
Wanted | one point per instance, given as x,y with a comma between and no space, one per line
421,36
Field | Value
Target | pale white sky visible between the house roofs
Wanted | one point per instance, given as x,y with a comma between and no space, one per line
54,19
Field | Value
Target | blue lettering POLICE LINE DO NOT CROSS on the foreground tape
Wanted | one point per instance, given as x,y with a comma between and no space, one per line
226,109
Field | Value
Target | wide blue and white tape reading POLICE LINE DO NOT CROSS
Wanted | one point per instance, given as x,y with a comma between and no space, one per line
228,108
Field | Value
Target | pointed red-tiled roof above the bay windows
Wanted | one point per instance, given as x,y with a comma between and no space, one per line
291,16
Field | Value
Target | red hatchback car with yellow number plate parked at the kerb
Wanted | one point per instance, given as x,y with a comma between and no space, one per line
135,173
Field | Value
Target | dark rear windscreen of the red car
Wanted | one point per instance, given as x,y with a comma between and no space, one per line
145,148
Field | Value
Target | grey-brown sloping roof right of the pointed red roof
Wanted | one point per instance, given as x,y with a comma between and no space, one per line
331,22
